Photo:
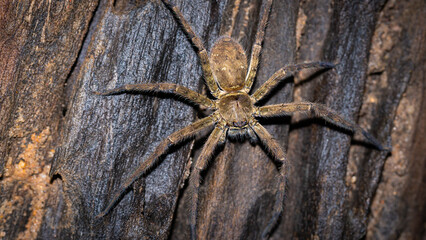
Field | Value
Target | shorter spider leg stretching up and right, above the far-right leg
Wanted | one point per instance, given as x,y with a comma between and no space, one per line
283,73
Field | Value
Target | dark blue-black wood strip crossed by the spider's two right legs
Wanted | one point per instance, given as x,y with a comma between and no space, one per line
341,32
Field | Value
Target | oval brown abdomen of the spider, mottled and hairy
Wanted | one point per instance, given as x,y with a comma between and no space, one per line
229,64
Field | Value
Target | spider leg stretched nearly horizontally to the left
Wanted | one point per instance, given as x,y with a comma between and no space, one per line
171,88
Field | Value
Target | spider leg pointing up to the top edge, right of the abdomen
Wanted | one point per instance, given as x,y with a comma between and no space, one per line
257,47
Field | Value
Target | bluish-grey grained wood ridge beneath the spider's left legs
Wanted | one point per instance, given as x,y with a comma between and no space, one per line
106,138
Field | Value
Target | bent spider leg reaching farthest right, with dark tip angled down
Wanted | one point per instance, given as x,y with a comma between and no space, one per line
318,110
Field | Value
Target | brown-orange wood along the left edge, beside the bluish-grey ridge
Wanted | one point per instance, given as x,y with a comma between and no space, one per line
39,43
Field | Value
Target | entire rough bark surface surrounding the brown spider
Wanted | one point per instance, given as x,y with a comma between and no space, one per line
65,151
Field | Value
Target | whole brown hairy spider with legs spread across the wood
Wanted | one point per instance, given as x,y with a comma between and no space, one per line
229,81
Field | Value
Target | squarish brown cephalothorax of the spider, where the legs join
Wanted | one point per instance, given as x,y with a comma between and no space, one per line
236,109
